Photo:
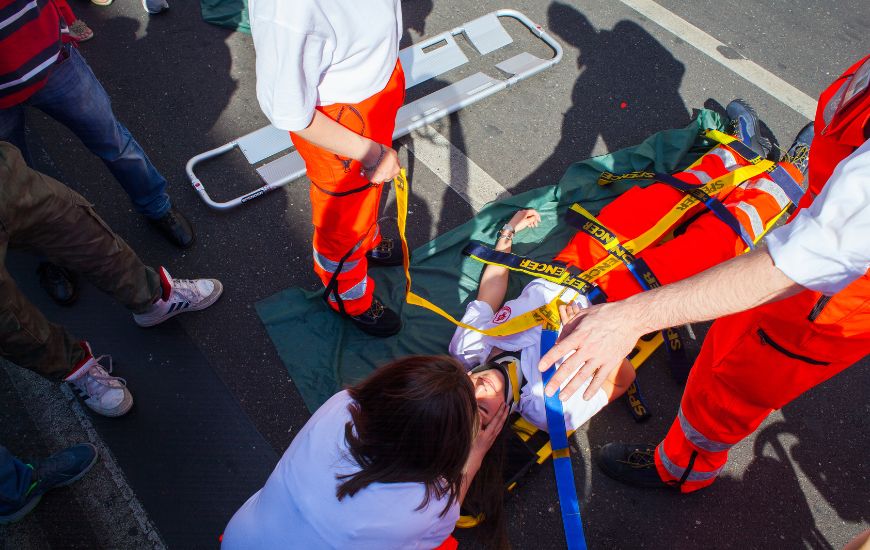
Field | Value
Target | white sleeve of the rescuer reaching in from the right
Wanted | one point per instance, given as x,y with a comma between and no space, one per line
827,246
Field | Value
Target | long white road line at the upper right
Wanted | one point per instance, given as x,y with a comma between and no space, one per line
764,79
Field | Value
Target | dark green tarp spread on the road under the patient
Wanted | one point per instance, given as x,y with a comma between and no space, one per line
324,353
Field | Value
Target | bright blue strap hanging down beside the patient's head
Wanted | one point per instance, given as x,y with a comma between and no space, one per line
562,464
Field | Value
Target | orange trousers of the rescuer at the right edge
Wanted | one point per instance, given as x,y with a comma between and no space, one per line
750,364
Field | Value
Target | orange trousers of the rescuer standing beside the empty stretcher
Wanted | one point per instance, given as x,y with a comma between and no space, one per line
344,205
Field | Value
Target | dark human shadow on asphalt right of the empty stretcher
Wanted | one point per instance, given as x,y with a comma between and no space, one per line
628,88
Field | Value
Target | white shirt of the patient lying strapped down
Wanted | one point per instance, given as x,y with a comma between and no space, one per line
473,348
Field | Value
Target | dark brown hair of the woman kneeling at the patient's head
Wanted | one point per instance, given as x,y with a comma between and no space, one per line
413,420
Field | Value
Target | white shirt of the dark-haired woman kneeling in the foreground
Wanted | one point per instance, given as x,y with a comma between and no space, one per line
297,508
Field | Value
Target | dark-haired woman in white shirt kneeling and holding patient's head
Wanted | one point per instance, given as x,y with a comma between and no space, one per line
383,464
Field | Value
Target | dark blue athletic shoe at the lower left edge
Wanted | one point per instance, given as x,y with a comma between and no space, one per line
59,470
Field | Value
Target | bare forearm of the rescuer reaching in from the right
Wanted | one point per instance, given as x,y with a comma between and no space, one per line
737,285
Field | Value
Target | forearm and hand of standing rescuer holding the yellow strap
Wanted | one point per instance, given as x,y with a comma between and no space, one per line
335,138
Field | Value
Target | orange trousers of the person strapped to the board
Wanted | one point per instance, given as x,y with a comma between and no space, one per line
705,242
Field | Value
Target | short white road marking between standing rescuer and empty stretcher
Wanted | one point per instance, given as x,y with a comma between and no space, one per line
455,169
